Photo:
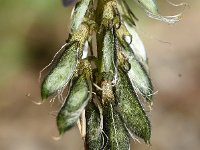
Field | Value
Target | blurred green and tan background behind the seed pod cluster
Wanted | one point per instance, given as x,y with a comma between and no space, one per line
32,31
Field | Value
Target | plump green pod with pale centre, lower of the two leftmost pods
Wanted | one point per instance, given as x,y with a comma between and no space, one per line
75,103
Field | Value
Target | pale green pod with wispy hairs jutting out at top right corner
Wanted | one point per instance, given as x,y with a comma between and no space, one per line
151,9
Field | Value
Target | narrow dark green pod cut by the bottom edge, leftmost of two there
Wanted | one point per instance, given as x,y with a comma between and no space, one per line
93,140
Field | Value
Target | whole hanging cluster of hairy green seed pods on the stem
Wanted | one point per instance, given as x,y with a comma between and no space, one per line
107,78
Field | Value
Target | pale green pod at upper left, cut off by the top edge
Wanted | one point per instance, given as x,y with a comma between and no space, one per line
79,13
